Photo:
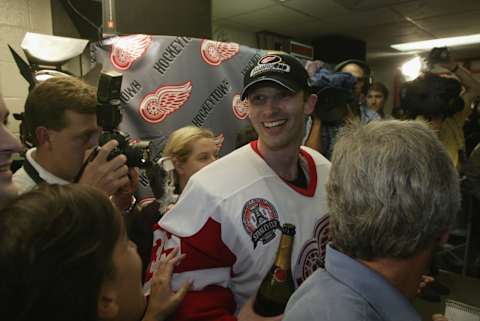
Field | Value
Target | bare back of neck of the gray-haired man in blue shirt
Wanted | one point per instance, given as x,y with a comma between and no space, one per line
403,274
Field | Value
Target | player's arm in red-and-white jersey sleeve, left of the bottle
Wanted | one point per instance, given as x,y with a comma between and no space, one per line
207,264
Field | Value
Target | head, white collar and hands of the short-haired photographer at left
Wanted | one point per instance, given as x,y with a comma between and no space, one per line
61,122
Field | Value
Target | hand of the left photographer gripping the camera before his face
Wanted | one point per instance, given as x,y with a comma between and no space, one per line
107,176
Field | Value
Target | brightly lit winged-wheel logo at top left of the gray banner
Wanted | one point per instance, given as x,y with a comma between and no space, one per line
126,50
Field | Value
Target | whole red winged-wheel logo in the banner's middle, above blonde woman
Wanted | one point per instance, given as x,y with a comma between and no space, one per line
156,106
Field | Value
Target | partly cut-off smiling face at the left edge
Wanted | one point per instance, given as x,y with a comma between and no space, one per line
8,146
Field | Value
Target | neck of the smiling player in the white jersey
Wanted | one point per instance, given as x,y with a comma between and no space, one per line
284,162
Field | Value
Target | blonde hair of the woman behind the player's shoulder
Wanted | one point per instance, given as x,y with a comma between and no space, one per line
179,143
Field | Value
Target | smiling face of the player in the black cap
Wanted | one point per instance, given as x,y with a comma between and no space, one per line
278,116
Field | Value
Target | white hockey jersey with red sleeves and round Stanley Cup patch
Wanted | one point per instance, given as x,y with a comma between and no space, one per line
227,222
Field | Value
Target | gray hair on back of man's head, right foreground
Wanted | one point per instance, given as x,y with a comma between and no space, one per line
392,189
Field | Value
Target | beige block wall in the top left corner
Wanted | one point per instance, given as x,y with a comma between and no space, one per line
16,18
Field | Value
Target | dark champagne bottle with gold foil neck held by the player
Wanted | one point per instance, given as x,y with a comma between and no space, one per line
277,286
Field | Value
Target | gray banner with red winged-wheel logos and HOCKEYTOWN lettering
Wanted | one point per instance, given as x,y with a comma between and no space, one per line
170,82
